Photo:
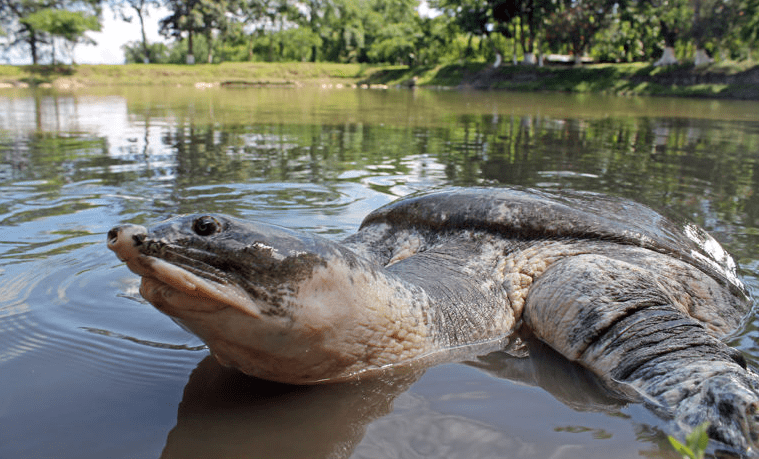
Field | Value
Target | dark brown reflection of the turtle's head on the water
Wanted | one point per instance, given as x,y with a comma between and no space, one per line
226,414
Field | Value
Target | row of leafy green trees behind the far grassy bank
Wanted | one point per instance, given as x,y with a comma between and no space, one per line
392,31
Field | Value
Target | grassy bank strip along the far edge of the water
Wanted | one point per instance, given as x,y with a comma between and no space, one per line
735,81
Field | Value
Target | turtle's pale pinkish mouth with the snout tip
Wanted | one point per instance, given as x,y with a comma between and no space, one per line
171,287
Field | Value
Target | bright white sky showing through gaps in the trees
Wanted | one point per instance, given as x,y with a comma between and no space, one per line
115,33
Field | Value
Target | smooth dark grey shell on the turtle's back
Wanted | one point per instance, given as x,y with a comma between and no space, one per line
537,214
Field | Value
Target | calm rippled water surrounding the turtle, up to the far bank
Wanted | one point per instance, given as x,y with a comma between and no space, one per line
89,370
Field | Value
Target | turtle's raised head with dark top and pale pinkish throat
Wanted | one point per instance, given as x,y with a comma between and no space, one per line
273,302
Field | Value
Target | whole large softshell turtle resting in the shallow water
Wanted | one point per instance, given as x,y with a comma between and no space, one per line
642,302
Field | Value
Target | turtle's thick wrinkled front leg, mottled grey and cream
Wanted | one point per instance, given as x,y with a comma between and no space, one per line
614,318
